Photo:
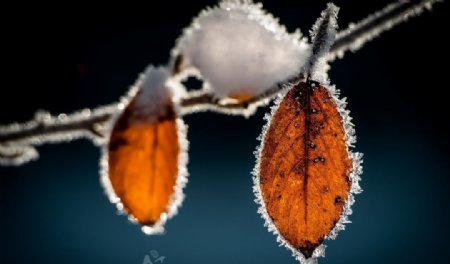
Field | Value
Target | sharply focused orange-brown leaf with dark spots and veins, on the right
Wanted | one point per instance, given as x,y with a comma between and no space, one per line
305,167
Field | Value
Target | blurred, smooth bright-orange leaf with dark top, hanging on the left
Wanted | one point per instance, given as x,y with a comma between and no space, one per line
143,160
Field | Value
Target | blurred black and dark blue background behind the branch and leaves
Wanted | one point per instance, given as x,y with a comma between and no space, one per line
53,210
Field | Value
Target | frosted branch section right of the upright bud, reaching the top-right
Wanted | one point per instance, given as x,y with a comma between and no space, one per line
358,34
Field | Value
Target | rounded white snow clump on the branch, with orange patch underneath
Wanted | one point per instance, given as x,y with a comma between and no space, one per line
240,50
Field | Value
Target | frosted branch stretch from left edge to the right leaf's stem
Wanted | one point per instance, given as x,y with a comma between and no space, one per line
18,140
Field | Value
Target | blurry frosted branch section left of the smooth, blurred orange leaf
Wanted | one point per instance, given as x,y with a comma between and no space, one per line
17,140
